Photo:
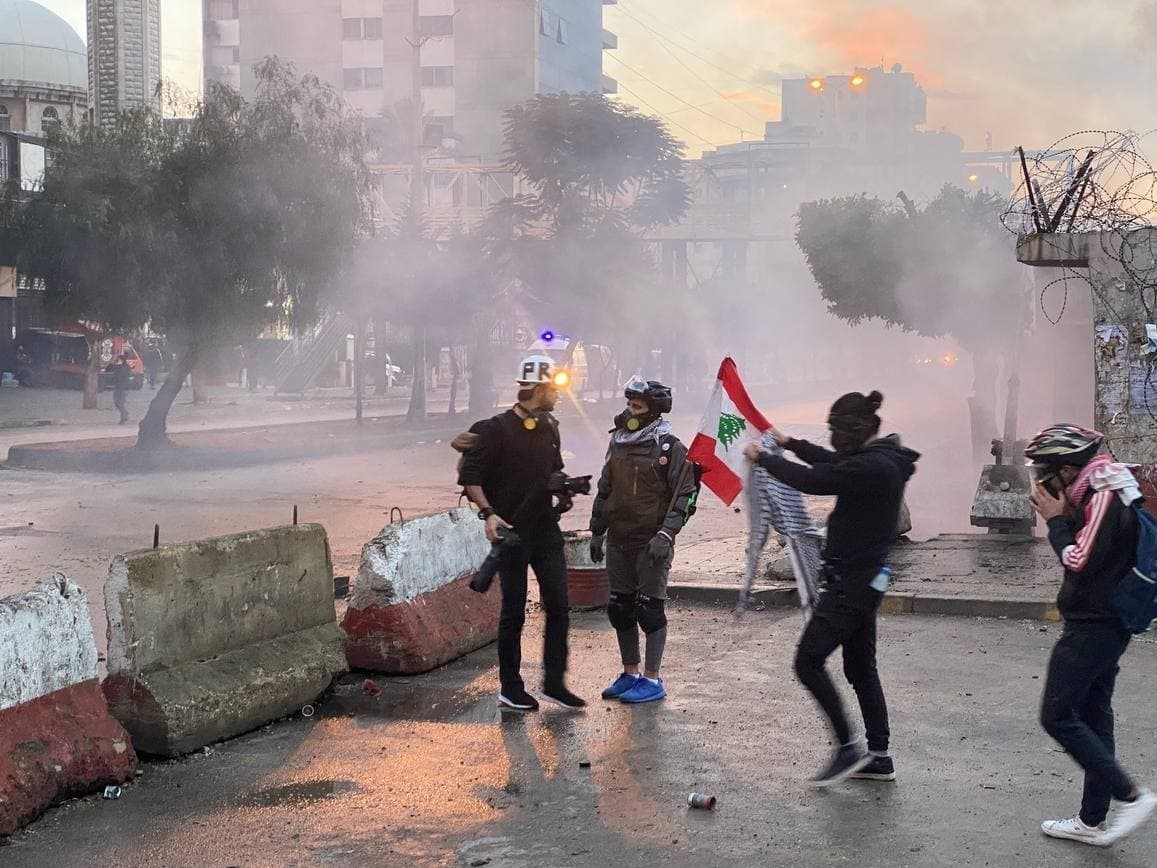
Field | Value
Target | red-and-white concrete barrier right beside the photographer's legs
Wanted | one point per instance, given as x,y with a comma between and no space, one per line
412,609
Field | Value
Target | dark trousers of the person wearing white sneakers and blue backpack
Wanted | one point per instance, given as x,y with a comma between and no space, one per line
1078,709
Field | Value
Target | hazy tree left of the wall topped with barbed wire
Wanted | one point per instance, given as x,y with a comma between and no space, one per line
948,269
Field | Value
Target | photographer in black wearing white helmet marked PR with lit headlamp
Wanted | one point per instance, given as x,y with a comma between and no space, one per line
507,473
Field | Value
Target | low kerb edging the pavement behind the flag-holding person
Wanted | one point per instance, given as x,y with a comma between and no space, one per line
897,604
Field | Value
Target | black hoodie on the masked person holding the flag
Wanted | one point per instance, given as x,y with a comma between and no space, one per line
868,486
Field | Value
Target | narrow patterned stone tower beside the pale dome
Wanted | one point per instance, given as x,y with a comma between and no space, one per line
124,57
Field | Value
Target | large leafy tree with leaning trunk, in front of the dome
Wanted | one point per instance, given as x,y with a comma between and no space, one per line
213,229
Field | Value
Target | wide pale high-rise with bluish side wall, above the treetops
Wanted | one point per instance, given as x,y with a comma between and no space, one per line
478,57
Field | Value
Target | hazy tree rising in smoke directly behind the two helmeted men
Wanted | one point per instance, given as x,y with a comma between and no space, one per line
598,174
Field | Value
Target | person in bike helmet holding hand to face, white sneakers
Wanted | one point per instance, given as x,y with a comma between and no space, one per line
1087,499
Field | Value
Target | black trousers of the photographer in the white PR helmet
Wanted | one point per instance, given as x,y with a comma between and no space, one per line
550,567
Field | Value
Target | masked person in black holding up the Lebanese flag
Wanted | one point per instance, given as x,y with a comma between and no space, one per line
867,474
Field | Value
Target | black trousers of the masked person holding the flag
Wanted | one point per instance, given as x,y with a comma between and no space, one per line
845,617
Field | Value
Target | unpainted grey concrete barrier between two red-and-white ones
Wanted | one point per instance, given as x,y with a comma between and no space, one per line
211,639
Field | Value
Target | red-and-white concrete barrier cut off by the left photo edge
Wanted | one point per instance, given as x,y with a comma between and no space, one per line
57,738
